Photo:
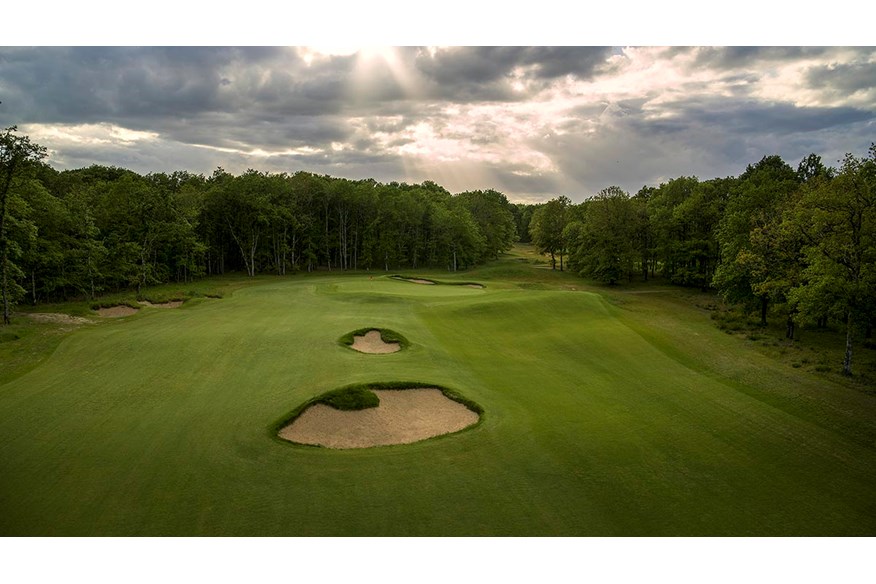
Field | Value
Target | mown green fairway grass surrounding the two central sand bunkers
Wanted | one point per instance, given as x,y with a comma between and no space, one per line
630,417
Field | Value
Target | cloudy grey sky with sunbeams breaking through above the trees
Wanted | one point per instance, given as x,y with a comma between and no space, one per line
532,122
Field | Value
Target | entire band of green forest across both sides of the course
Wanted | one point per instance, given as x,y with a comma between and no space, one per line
800,243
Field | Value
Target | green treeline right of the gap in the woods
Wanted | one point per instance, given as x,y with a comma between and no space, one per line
800,243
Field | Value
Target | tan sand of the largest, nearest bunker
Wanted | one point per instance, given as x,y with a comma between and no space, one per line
403,416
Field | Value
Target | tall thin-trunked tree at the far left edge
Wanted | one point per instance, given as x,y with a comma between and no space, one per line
16,153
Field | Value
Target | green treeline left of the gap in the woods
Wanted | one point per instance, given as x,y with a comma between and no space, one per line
82,232
